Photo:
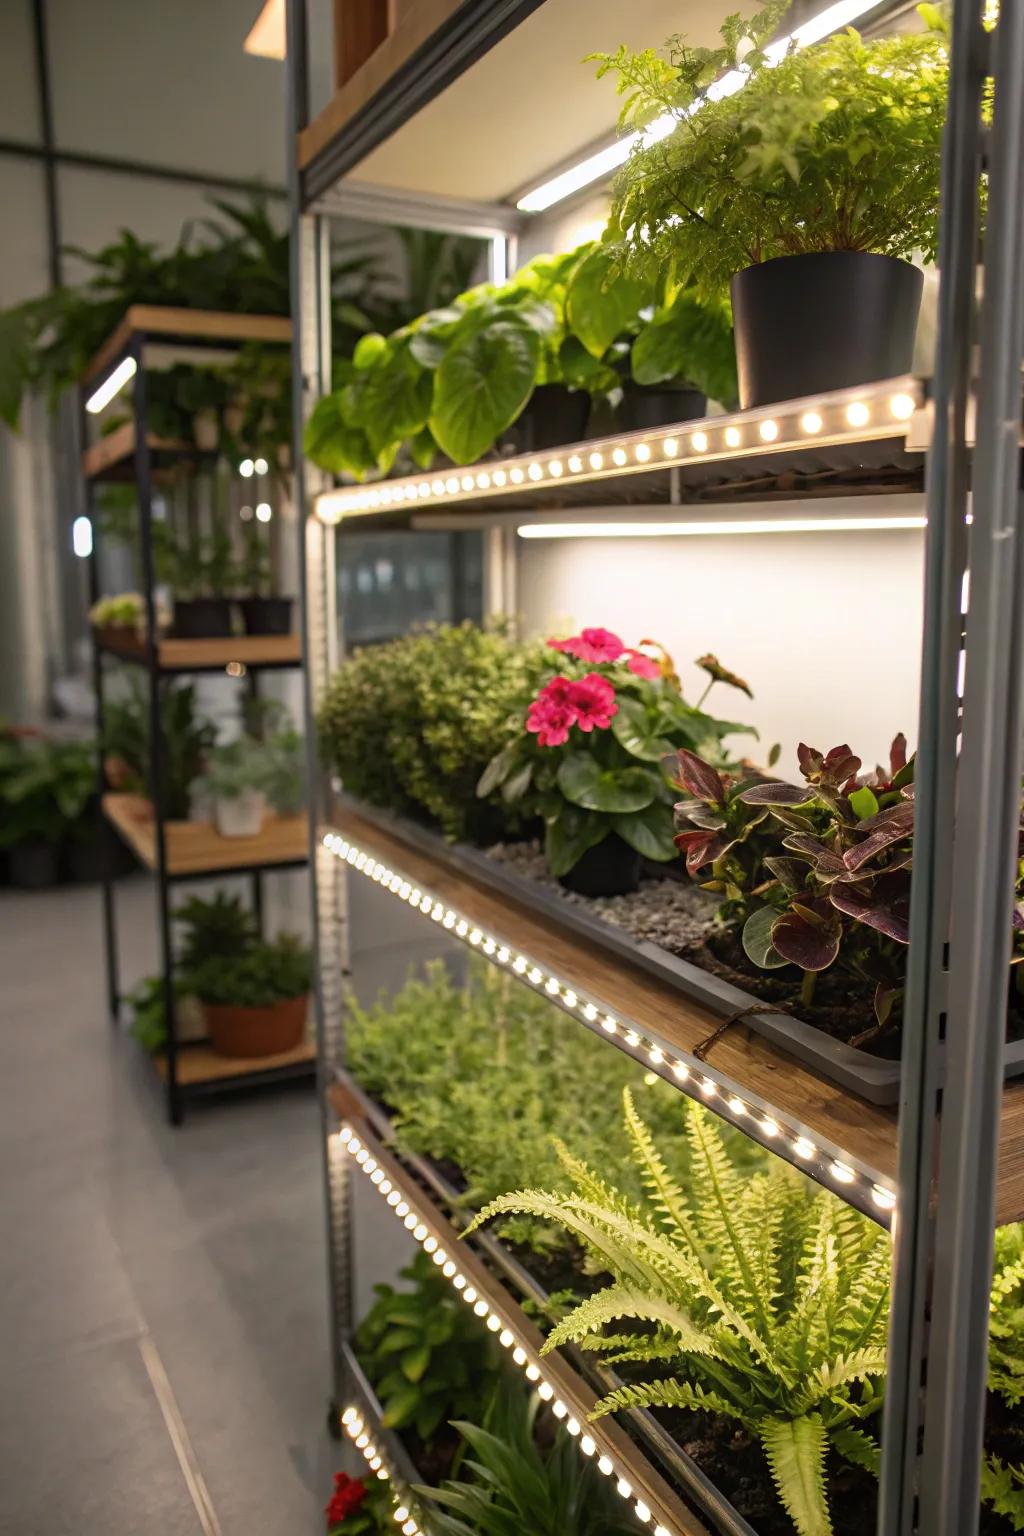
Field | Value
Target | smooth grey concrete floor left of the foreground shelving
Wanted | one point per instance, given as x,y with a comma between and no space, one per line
164,1317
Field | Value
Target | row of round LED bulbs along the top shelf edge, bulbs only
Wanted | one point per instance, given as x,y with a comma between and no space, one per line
811,423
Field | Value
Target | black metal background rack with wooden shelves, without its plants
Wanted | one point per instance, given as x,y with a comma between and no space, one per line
179,852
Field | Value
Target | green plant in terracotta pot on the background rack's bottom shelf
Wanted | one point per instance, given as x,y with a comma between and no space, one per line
256,999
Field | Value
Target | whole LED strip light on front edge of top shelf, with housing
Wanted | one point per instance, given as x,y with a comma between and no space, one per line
862,415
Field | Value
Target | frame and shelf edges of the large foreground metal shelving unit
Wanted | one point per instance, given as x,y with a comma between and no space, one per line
950,1164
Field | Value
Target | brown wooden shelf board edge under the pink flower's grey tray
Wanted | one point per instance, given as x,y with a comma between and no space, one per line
801,1101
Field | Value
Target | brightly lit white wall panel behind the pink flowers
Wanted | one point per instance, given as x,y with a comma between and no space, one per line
827,627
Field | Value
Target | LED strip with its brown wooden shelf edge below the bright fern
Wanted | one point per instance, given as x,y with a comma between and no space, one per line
431,1234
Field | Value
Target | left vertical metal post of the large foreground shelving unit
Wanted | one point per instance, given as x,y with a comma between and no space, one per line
311,379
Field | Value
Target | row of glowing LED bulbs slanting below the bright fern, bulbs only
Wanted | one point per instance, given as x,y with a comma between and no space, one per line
421,1233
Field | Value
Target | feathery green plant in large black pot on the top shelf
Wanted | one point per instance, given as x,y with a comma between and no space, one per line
807,193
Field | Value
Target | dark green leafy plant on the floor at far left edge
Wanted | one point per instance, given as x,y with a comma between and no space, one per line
45,789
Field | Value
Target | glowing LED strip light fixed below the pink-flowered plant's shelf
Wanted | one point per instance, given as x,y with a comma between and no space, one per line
696,1079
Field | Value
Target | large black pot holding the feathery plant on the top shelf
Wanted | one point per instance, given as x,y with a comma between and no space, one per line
822,322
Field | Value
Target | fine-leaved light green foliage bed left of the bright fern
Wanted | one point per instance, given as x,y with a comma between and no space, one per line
487,1073
